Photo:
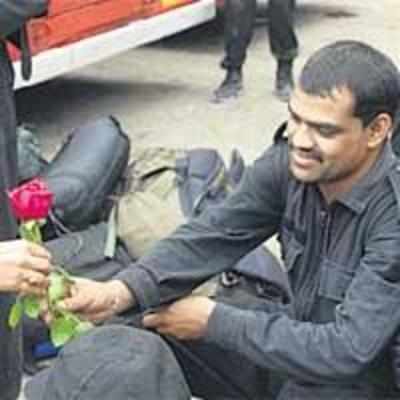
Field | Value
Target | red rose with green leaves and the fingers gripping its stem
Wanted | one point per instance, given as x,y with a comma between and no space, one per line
31,204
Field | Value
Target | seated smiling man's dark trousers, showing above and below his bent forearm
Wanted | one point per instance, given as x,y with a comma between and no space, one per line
213,373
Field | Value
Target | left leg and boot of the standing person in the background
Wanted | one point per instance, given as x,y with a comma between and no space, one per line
239,16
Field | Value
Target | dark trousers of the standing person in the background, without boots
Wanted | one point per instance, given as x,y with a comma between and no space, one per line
239,25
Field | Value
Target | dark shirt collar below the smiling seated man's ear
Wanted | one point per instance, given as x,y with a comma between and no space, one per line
360,194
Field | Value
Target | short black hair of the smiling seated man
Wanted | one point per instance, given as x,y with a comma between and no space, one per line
371,77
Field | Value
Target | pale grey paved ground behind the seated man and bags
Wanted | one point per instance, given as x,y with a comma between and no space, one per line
160,92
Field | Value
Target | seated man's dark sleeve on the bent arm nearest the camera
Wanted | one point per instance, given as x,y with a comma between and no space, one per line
364,322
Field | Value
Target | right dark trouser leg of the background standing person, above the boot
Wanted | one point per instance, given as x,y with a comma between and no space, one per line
282,37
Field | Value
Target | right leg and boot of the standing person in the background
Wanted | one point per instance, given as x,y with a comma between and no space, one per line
283,43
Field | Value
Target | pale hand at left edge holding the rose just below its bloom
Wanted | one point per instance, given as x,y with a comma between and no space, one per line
24,267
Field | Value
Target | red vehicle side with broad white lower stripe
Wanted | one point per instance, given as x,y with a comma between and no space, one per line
76,33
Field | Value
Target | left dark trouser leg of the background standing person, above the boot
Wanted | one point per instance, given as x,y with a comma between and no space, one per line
239,24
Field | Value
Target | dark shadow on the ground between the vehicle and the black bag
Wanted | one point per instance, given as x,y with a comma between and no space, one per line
54,101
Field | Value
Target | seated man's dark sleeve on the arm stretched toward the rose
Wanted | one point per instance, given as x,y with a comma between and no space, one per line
217,239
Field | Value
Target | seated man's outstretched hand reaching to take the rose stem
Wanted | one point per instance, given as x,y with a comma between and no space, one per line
97,301
